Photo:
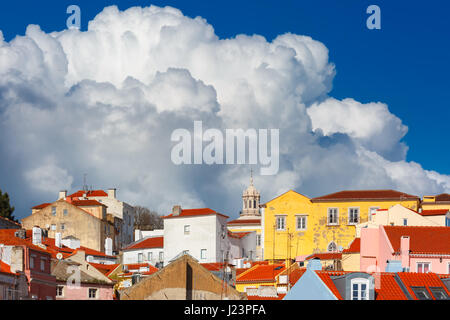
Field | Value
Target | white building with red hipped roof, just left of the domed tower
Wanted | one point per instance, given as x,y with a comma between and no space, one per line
203,234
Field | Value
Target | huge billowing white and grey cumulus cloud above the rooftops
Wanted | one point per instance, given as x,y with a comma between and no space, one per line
105,102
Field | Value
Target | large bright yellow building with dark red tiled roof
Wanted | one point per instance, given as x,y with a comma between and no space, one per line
295,225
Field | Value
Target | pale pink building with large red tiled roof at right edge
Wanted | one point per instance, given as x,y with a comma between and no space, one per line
413,249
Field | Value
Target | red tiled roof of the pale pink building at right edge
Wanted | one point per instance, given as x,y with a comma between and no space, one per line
430,240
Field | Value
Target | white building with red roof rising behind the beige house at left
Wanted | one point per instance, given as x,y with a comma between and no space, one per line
117,208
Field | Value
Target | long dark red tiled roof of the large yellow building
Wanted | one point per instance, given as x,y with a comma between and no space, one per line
366,195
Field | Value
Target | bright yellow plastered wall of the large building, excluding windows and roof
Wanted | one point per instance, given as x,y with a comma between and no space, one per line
318,233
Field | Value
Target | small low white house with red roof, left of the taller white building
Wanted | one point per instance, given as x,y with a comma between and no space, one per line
146,250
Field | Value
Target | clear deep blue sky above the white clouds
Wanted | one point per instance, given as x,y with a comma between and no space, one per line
405,64
